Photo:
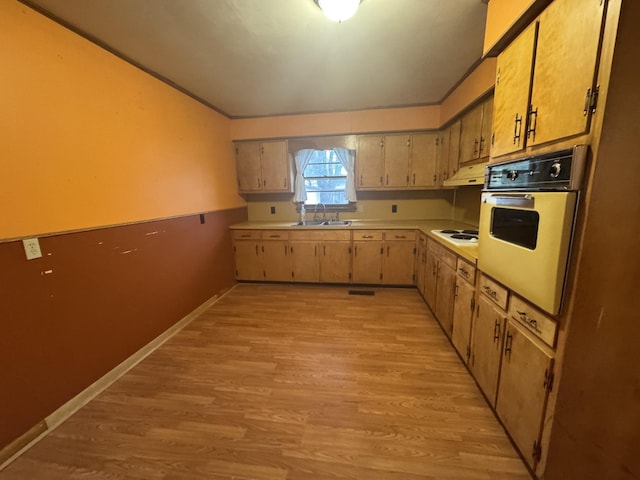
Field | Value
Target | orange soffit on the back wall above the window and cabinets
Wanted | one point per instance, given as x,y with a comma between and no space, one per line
383,120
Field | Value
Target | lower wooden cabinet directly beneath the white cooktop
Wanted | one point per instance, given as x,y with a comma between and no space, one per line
441,281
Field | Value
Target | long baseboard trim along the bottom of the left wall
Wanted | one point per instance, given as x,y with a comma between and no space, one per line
27,440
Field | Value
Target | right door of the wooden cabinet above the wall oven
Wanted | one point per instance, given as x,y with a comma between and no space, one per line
565,69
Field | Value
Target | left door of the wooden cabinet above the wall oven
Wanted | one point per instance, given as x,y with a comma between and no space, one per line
511,95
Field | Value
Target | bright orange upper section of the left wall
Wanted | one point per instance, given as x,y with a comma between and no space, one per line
89,140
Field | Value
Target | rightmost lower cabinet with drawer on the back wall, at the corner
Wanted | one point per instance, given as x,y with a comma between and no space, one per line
399,257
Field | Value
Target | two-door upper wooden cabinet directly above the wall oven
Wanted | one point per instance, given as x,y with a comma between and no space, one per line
549,98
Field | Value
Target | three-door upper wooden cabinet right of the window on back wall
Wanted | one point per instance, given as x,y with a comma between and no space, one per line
396,161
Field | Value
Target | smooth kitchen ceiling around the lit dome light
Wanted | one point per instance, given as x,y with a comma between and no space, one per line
251,58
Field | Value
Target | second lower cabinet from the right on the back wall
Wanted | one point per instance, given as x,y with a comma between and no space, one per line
367,256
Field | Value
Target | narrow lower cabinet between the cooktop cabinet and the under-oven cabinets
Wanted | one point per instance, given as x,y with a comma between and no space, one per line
463,308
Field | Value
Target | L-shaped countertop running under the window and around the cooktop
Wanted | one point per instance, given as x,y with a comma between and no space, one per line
469,253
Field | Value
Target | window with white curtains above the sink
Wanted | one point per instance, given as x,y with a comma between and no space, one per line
327,177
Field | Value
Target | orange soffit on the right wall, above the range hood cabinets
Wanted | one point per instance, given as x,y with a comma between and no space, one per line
479,82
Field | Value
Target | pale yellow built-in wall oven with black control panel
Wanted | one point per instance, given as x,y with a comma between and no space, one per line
527,216
